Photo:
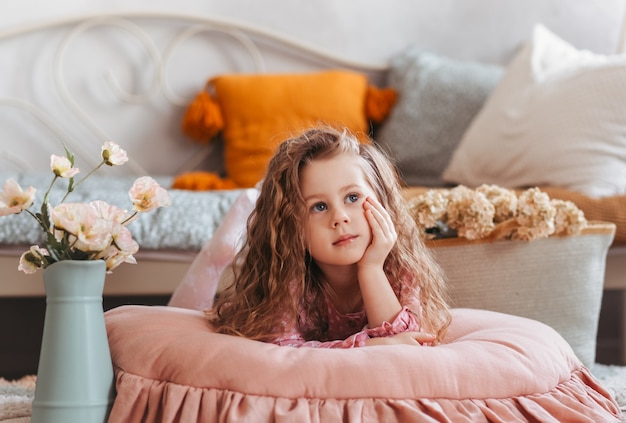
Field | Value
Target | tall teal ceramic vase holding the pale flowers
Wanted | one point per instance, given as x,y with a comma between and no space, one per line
75,373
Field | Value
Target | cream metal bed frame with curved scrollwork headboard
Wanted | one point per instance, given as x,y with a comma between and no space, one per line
147,113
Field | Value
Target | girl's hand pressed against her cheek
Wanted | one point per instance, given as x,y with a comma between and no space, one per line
383,234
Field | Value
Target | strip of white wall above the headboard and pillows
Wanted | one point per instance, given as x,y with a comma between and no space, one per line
372,29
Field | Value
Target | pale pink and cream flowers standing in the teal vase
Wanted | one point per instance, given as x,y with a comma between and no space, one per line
82,231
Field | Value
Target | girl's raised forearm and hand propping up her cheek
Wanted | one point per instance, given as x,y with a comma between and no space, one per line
379,299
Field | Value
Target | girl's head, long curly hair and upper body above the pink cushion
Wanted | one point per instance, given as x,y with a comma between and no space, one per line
332,258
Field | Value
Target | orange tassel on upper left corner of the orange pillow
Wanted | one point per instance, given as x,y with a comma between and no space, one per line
203,118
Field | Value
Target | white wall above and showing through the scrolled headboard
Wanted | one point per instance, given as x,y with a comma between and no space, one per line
369,31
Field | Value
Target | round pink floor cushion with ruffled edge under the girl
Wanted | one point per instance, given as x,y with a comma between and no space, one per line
171,367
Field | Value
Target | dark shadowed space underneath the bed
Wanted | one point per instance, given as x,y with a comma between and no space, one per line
21,327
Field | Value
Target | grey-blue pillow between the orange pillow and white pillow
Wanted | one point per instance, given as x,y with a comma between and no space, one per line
437,99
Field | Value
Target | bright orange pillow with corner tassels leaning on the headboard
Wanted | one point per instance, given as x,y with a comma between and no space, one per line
258,111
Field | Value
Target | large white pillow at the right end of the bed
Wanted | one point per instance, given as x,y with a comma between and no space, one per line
557,117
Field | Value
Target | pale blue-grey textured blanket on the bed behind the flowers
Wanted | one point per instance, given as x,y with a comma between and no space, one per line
187,224
